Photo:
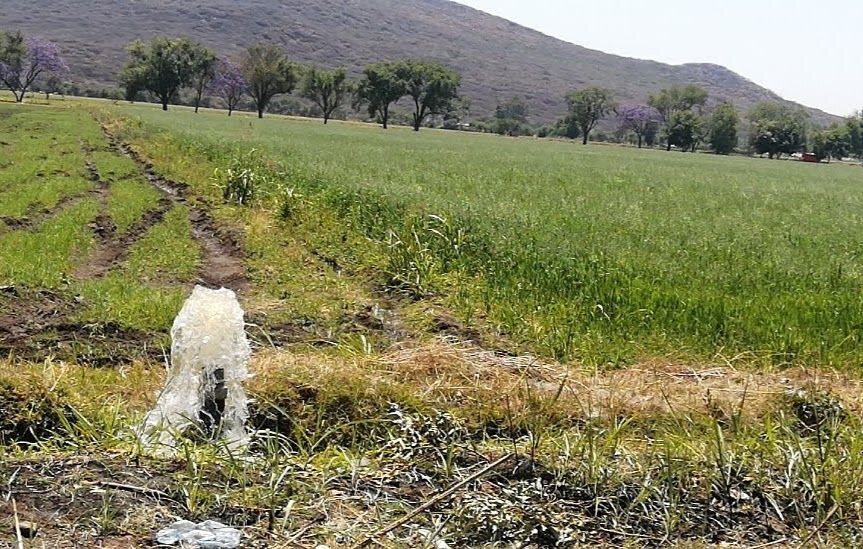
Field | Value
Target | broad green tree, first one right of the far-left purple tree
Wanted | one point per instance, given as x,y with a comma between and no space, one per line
163,67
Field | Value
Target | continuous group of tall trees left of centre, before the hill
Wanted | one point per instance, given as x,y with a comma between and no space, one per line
164,66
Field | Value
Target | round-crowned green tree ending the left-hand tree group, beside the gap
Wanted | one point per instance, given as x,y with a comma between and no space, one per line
432,86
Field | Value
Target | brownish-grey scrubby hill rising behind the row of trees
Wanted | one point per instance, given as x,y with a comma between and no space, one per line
497,58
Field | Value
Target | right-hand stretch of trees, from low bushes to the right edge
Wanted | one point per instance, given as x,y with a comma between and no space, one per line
678,118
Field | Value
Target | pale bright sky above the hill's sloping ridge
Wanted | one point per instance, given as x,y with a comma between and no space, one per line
806,51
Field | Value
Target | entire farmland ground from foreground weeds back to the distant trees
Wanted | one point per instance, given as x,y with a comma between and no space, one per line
547,344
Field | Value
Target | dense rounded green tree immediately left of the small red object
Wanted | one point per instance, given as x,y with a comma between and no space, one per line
777,129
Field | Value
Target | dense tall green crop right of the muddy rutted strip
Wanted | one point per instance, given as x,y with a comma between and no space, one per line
602,254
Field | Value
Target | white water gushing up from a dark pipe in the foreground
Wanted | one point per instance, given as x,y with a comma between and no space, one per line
209,363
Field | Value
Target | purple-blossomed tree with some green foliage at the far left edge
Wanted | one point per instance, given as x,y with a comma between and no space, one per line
22,61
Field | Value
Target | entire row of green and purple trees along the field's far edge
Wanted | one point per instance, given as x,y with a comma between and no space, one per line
677,117
